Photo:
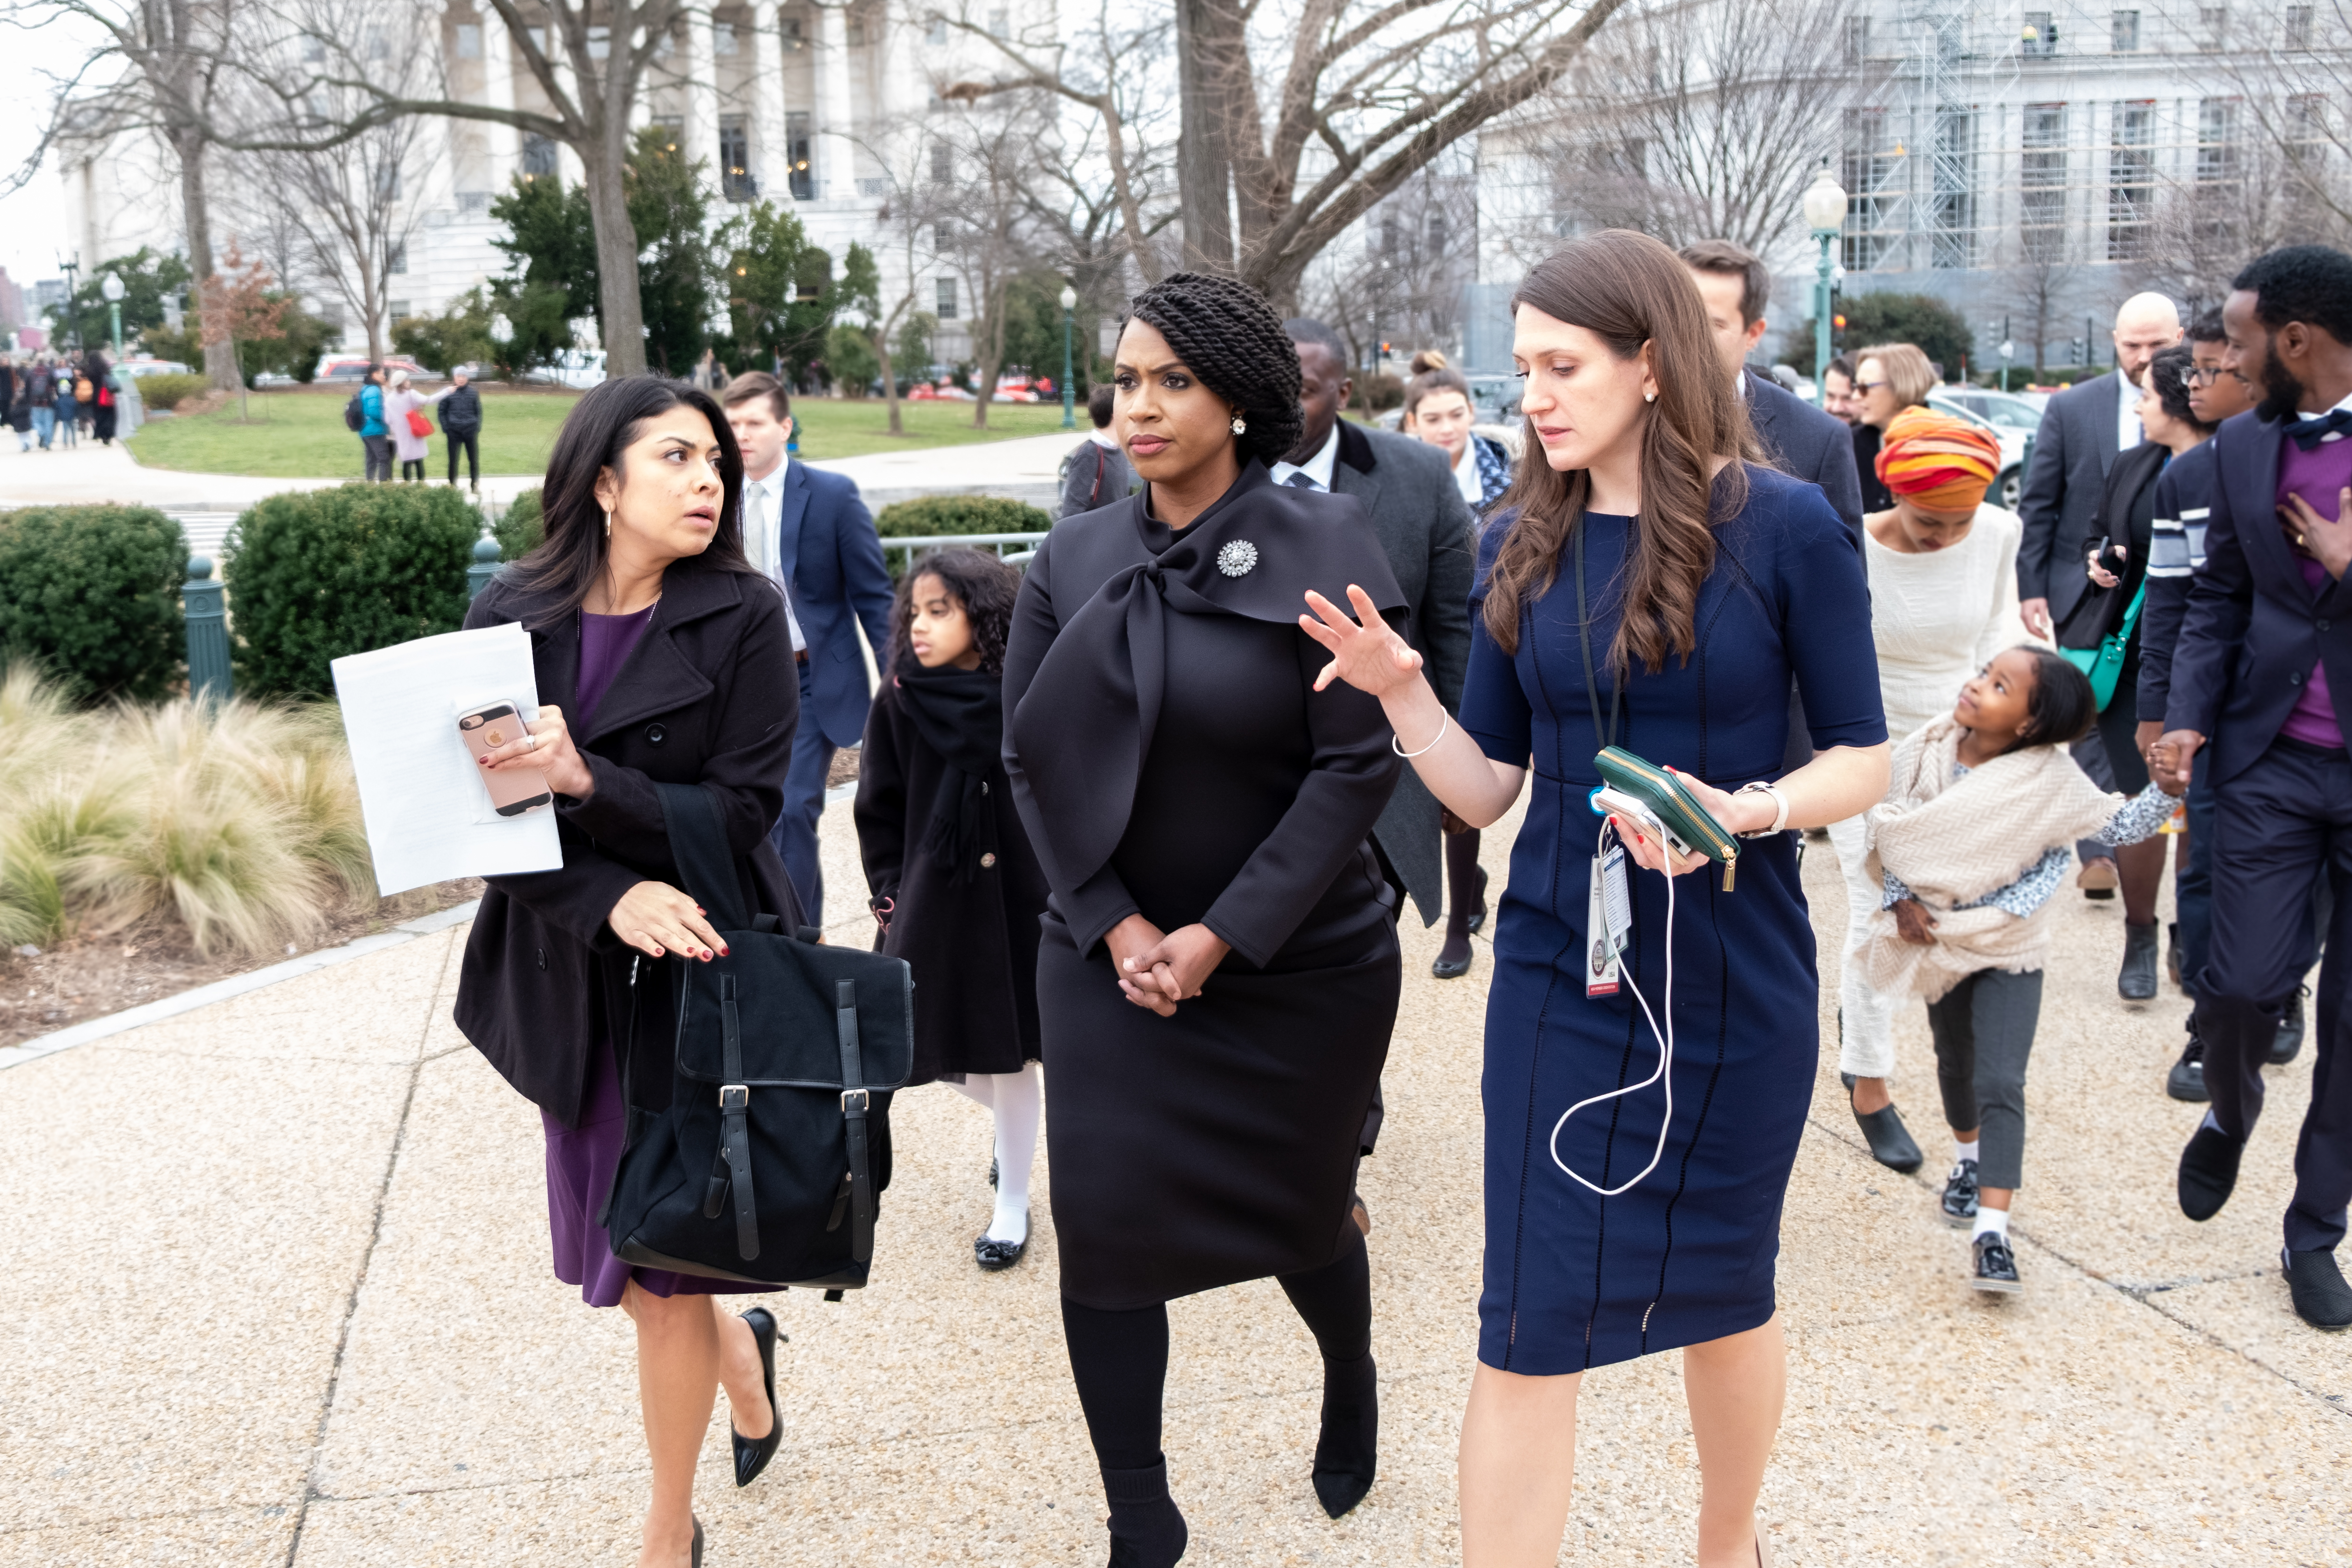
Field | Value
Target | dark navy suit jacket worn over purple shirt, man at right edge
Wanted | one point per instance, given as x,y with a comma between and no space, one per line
2254,631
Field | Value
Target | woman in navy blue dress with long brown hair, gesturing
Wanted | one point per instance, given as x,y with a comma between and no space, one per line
1711,582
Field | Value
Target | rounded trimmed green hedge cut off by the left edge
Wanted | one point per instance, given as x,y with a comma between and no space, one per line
91,594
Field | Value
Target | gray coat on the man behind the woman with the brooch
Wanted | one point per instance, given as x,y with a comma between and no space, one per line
1424,525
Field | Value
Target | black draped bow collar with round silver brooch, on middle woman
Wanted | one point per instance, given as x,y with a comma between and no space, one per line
1085,723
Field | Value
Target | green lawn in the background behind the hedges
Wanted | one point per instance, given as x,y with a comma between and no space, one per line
300,436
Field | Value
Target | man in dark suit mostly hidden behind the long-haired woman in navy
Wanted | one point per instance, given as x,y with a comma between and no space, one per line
1800,438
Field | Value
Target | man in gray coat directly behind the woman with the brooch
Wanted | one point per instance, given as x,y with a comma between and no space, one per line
1424,525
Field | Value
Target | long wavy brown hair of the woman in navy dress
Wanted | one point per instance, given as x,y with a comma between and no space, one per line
1633,295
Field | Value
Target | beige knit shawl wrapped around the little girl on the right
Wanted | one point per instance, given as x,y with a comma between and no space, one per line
1953,843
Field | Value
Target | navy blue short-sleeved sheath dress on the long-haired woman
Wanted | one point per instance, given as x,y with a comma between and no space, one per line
1577,1280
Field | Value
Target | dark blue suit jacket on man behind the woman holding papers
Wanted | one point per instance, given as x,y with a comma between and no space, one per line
834,561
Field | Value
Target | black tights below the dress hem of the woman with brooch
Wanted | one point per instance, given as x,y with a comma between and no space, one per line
1121,1360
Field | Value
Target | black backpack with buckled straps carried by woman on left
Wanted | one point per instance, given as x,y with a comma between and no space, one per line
773,1155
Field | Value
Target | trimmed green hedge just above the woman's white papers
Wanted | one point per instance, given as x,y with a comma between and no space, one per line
328,572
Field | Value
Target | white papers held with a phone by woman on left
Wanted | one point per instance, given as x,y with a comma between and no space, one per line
420,789
